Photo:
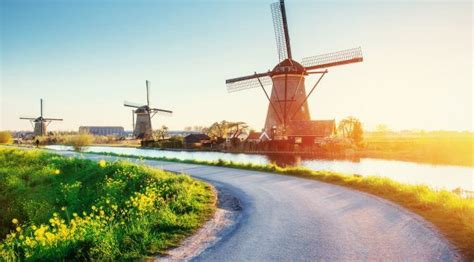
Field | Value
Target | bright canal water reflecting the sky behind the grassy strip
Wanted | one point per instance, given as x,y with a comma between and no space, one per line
435,176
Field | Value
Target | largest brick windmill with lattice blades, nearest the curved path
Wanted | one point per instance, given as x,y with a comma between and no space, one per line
288,100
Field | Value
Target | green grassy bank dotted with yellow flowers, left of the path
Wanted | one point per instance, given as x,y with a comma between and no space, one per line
56,208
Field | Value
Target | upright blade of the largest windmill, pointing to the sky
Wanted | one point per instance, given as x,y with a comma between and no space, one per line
280,26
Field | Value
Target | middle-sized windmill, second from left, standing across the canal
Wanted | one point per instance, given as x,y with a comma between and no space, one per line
142,127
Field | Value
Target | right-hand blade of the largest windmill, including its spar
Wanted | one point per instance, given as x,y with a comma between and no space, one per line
343,57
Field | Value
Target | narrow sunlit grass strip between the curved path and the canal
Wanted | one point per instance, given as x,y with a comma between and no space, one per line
451,214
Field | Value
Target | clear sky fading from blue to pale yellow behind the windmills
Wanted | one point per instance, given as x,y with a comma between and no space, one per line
85,58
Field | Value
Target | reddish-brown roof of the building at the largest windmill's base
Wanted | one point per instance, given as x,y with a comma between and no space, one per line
318,128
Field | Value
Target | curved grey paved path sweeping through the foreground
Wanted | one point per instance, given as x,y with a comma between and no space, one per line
293,219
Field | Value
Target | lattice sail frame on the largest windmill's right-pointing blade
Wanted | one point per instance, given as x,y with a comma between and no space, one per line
333,58
